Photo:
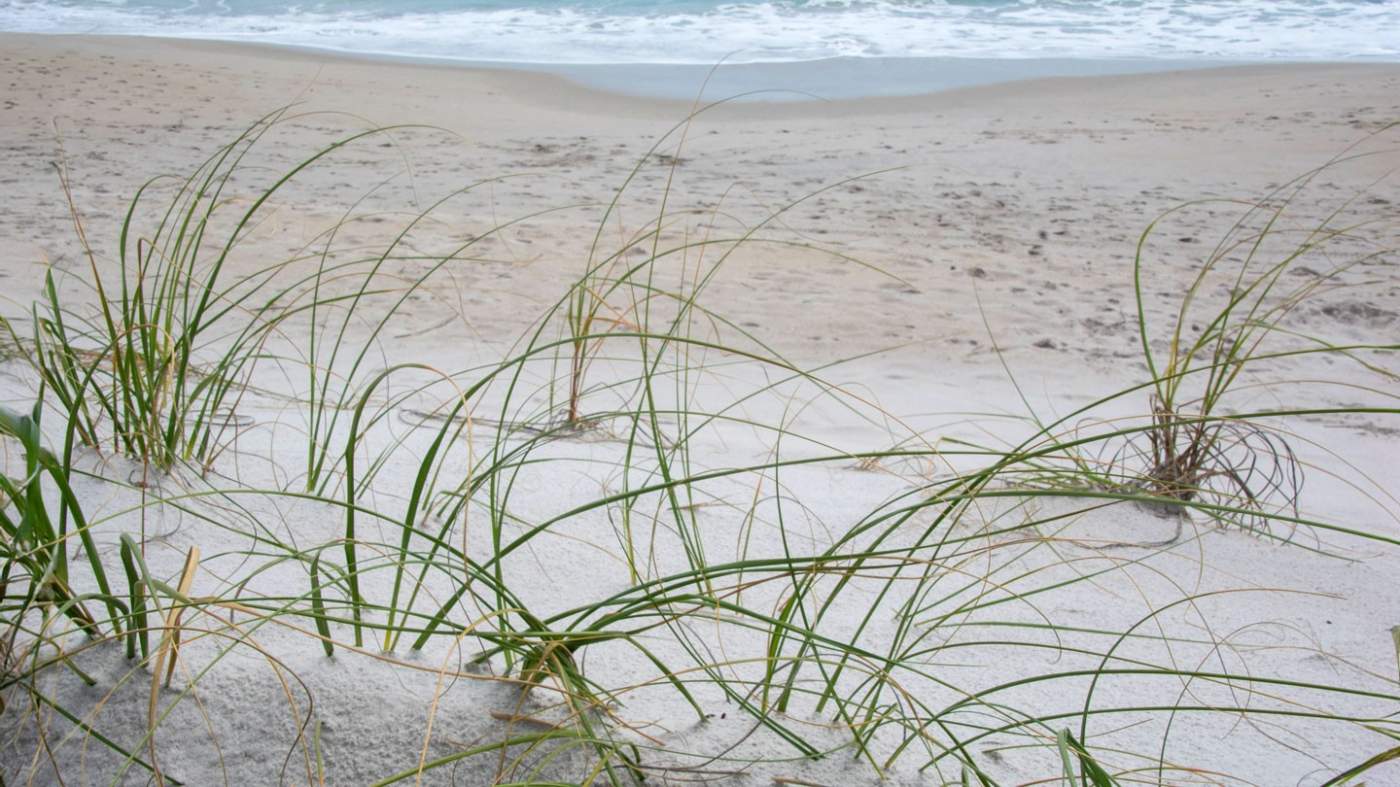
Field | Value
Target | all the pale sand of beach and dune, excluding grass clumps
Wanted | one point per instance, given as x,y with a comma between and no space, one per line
969,256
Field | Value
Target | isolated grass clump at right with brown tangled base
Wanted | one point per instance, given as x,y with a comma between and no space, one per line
1196,449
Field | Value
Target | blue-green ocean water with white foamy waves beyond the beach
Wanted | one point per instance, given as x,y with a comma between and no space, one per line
768,32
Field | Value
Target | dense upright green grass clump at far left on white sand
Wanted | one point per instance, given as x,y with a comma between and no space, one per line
142,373
